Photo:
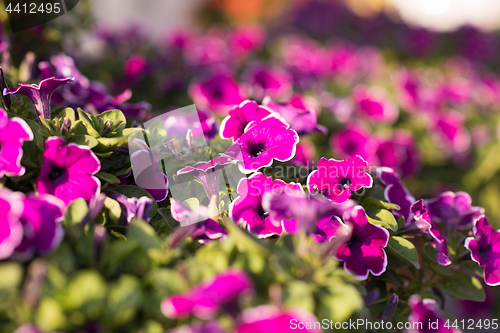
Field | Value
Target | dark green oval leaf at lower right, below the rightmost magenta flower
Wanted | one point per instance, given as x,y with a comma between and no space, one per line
462,286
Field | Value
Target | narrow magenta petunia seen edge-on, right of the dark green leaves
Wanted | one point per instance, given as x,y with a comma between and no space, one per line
424,222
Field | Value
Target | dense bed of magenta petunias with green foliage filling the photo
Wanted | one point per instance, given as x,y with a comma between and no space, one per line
313,180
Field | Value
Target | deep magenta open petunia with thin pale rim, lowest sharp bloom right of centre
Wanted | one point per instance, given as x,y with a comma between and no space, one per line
364,252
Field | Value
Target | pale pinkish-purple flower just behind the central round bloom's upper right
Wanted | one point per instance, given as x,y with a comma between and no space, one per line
301,120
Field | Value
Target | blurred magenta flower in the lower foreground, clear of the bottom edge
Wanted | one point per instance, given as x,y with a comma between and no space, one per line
205,299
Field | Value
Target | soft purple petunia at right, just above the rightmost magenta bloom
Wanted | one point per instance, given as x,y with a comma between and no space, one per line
454,209
